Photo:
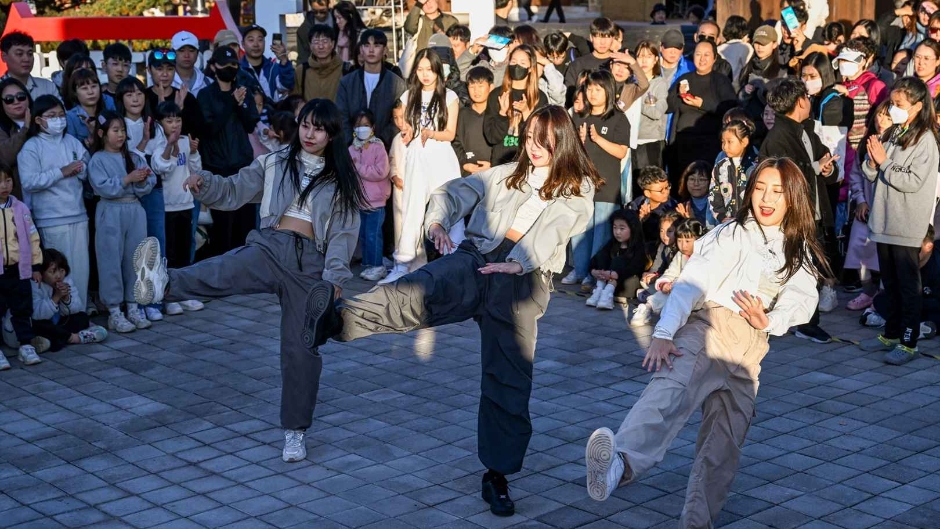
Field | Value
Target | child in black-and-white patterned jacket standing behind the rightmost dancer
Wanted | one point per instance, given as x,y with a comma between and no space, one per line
729,178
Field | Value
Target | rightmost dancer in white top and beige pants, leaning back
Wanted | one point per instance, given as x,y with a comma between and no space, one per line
762,258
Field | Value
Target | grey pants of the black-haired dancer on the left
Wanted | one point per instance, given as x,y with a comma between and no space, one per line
271,262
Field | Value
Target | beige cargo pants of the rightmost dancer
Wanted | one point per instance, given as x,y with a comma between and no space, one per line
718,370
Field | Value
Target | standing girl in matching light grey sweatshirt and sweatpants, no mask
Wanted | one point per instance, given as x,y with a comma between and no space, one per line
120,178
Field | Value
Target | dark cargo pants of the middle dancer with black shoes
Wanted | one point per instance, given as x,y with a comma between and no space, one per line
507,309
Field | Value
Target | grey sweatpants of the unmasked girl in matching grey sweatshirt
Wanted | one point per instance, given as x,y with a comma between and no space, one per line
119,228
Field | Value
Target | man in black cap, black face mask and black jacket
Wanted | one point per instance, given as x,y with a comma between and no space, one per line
230,116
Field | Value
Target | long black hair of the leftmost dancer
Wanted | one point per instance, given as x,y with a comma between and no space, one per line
339,169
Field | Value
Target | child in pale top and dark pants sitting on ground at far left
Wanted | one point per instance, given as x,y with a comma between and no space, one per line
58,312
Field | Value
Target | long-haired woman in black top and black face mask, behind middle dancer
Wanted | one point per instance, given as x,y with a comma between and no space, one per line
510,105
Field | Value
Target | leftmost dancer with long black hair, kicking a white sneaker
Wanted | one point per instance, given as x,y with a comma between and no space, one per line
310,199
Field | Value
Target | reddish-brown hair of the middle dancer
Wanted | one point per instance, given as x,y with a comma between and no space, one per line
552,128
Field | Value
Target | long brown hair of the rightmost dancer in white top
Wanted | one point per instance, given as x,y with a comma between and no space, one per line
801,247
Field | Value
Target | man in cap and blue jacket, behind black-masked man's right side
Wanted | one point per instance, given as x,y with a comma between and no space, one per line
275,76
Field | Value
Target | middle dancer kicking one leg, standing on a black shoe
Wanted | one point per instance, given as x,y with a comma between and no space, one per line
522,216
